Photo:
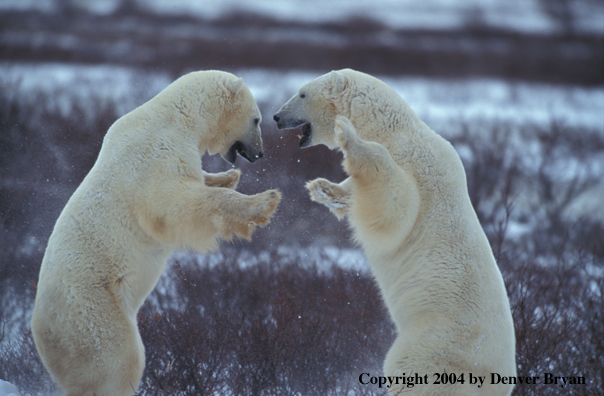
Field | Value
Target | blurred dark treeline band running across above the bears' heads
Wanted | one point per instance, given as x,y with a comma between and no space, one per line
134,37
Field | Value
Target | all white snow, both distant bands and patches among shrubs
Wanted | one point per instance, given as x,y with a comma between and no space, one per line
442,103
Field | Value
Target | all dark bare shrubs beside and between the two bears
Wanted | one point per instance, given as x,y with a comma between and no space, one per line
260,322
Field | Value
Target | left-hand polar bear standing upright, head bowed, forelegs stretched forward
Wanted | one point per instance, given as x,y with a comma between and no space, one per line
145,197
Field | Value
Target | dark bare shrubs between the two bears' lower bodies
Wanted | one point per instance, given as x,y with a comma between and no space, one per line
264,329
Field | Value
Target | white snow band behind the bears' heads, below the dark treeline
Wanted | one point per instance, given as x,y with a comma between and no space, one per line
438,101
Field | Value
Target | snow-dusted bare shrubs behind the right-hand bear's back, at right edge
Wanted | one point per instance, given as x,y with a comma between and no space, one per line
553,267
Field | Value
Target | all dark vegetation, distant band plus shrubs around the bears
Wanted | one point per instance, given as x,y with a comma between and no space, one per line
288,314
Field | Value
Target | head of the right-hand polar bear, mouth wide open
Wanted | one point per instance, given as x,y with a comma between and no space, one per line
315,107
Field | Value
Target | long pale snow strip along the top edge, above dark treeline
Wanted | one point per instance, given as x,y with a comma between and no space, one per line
524,15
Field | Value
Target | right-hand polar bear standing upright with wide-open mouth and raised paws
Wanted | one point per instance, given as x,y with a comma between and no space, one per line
407,202
